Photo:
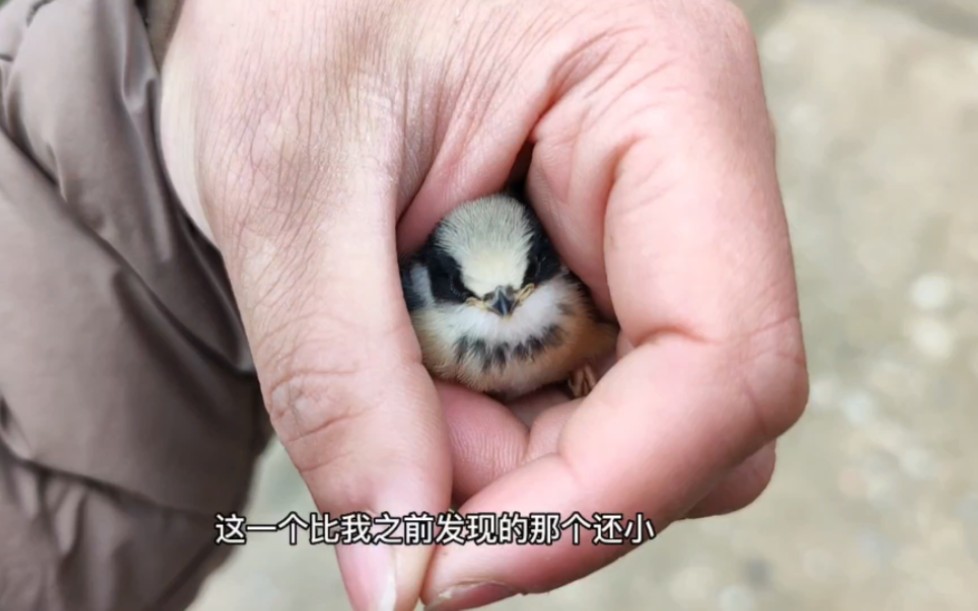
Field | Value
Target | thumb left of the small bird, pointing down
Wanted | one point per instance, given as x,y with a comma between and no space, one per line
345,389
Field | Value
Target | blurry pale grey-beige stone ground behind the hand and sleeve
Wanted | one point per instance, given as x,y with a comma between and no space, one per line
875,501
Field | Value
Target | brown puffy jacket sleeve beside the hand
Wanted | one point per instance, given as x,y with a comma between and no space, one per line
129,408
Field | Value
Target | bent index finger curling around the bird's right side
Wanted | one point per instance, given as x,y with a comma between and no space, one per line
699,272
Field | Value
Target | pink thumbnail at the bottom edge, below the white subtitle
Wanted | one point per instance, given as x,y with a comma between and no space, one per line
369,573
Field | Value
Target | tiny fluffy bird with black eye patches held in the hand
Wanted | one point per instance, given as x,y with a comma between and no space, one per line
494,307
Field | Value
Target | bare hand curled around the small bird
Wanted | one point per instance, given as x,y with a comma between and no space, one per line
315,142
